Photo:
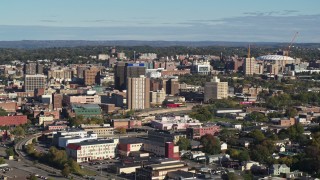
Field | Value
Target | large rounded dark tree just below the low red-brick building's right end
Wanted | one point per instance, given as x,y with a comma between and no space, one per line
211,144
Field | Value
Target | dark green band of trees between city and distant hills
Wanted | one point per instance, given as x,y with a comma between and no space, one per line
74,53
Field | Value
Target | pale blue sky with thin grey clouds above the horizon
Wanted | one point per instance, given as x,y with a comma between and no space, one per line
169,20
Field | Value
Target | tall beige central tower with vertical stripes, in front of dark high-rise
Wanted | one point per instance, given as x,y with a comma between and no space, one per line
138,94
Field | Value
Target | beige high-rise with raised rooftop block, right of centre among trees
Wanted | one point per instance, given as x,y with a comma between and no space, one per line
215,89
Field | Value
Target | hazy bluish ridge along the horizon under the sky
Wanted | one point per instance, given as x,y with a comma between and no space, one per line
31,44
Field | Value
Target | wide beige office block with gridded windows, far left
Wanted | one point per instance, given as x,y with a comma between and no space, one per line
32,82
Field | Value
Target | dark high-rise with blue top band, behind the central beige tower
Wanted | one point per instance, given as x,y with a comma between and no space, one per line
127,70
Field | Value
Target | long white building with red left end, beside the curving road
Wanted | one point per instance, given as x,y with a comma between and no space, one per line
92,150
